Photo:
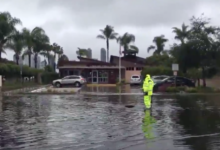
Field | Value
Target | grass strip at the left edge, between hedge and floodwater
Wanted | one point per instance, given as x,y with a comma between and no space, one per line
8,86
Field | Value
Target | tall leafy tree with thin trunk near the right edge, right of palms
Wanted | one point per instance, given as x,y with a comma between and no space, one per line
202,38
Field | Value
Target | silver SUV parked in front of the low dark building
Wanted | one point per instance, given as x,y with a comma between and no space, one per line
69,80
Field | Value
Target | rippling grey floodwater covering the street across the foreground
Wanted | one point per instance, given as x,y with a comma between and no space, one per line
83,122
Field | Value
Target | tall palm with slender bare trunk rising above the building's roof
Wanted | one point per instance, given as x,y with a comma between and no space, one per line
107,34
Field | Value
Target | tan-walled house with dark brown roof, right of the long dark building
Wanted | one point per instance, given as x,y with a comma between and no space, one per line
133,65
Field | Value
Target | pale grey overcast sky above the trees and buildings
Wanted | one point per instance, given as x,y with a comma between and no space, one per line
76,23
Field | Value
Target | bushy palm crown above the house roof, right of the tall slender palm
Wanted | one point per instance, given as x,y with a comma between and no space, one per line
125,41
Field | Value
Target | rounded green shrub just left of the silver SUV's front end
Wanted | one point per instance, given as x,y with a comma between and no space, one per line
48,77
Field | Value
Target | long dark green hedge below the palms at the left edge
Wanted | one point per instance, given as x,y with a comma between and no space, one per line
13,70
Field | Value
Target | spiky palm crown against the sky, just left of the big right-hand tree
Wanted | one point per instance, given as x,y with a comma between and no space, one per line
181,34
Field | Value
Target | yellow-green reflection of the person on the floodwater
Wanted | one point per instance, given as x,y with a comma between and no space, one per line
147,126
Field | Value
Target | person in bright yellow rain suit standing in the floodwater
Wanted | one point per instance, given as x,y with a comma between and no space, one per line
148,91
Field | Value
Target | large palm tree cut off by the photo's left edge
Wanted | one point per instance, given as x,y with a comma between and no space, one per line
7,29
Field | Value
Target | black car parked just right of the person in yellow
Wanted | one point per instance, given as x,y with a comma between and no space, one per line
172,81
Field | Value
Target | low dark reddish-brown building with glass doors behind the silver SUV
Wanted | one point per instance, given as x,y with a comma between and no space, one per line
94,71
